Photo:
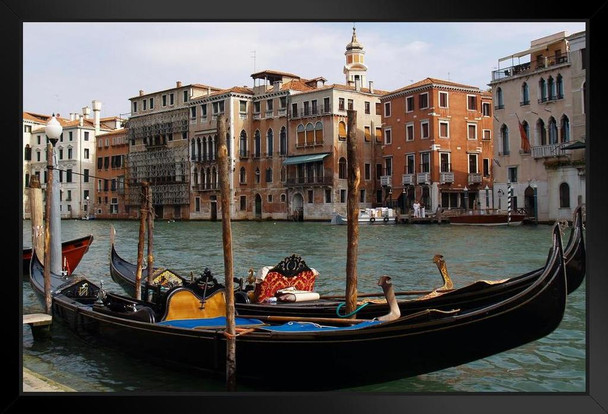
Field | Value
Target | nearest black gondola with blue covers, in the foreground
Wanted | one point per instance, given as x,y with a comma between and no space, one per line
320,356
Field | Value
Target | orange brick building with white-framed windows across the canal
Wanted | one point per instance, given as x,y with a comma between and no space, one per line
437,145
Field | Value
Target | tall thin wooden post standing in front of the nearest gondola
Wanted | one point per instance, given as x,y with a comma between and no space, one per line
226,197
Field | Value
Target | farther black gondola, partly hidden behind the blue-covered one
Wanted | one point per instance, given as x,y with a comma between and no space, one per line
478,293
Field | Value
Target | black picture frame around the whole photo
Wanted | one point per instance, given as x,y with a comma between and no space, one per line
595,400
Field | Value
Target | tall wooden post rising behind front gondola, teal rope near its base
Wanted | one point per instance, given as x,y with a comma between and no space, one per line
352,211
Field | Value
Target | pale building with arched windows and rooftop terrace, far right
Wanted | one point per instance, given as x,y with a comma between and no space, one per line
539,113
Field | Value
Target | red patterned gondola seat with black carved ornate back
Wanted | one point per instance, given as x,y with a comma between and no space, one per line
290,272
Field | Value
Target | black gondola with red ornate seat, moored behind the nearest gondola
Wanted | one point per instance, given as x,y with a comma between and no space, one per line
443,297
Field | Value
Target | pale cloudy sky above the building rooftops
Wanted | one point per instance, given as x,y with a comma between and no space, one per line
112,61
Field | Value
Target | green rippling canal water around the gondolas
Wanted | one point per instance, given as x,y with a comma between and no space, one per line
555,363
